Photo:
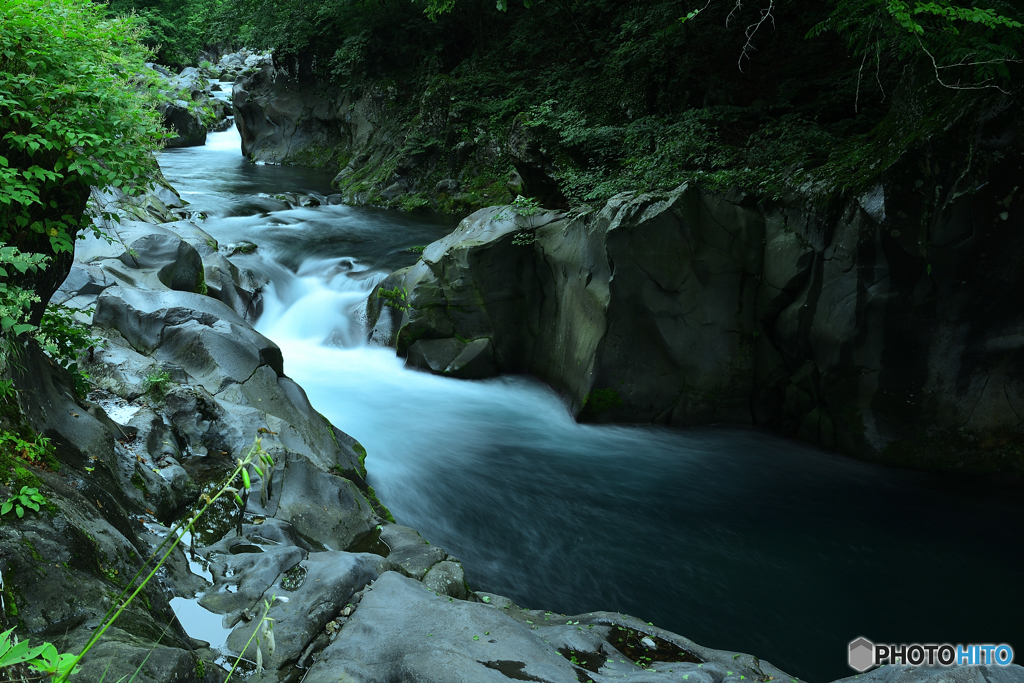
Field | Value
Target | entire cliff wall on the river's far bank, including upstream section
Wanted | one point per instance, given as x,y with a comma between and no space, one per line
885,323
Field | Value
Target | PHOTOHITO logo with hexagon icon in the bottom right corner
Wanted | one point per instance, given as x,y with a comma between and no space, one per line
865,655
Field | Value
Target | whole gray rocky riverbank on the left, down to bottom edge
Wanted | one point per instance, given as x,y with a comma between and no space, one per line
184,386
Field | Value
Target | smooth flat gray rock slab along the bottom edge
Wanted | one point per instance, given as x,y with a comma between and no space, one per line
403,632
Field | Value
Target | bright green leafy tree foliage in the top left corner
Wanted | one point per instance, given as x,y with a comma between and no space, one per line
72,119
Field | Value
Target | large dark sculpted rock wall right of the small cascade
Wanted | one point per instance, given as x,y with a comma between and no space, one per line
691,308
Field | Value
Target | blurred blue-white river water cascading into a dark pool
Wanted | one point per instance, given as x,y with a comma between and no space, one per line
734,538
